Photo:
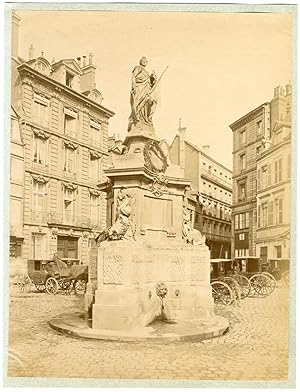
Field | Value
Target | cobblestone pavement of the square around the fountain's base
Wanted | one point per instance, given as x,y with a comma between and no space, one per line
256,347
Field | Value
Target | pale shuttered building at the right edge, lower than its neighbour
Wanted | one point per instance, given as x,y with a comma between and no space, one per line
274,194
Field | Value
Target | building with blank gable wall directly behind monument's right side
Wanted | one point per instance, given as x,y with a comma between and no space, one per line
212,187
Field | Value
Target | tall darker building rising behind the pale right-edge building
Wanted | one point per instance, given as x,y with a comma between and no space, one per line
250,135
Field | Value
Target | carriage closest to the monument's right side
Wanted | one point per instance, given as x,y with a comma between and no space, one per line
227,285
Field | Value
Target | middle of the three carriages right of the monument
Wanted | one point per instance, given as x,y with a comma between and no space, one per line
262,281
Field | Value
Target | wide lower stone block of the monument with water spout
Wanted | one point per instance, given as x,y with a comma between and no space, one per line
128,275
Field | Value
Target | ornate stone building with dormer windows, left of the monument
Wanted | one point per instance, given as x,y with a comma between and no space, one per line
64,130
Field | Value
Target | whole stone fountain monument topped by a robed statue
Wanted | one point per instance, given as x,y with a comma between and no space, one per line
151,264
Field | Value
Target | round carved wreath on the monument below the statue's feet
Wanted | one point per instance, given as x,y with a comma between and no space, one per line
155,159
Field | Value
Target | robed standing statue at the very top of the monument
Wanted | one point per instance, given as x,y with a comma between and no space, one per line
142,104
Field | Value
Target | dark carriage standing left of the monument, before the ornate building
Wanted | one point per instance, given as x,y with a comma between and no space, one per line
53,275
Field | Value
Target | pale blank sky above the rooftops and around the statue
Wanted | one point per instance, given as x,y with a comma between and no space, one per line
221,65
